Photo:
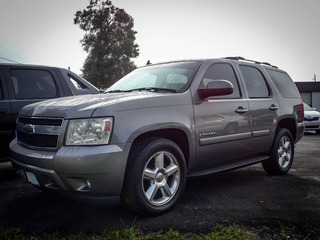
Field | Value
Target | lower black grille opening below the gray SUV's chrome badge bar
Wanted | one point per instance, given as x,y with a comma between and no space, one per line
38,140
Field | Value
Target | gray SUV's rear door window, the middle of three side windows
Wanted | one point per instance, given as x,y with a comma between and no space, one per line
255,82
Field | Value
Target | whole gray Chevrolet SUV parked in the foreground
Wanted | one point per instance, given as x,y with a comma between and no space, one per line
157,126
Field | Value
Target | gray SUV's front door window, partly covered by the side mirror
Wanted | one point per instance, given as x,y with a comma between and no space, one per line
222,71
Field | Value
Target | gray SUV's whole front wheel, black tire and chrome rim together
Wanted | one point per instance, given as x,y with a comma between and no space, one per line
155,177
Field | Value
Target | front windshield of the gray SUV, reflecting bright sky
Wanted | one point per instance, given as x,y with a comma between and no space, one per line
170,77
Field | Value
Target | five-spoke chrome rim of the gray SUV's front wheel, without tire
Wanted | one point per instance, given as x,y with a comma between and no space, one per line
161,178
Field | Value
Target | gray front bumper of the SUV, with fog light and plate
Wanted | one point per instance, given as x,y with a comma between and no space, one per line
89,171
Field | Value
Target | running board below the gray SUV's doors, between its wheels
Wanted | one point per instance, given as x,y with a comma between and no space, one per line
221,168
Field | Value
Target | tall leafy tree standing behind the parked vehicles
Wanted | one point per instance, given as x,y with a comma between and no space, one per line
109,41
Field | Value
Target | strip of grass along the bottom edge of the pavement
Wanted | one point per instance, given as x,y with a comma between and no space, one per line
137,233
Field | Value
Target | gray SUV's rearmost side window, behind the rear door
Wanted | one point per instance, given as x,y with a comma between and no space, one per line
284,84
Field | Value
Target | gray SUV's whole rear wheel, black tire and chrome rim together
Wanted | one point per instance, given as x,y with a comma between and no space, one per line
281,154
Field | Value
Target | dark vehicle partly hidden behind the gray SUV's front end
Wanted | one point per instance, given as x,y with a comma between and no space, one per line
24,84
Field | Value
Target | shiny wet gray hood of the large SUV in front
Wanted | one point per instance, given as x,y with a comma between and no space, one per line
84,106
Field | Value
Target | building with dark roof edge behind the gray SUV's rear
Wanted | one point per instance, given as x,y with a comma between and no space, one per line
310,93
